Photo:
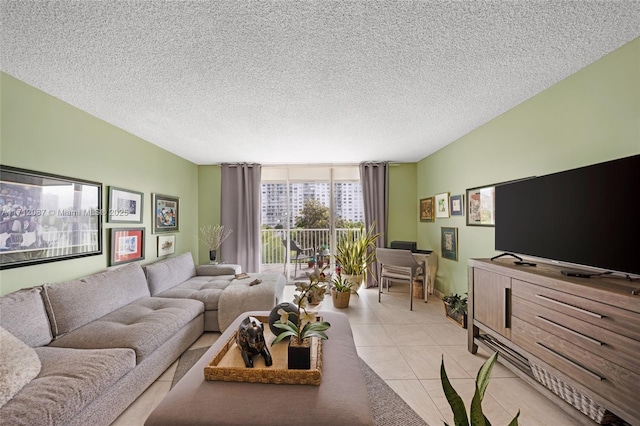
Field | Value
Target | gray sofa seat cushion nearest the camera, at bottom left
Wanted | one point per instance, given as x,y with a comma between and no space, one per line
70,379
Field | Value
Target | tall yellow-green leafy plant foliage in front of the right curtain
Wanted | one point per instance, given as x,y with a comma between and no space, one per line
356,252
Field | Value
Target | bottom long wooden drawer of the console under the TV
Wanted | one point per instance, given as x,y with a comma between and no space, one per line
597,374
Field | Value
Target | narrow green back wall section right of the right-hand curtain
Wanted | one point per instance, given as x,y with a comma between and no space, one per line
403,204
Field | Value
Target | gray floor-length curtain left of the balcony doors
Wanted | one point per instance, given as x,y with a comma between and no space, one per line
240,212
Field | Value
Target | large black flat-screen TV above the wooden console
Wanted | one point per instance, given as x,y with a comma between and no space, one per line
587,216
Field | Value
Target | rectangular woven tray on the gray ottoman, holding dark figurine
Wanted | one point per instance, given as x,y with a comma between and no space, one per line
227,365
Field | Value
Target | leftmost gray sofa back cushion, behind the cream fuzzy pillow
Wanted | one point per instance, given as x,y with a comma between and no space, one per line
24,316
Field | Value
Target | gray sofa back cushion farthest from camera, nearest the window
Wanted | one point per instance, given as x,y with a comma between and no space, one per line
168,273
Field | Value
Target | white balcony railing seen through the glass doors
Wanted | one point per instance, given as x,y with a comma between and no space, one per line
273,250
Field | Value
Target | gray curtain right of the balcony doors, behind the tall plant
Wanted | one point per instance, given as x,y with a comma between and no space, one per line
374,177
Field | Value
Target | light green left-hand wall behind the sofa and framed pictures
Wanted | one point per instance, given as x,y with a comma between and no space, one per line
39,132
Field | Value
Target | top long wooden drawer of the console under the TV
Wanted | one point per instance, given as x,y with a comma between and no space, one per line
594,312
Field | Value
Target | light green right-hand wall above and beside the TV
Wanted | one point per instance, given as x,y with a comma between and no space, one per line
590,117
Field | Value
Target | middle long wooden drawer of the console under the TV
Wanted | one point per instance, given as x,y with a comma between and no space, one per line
602,342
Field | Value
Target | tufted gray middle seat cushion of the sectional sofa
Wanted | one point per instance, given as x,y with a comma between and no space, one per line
143,325
